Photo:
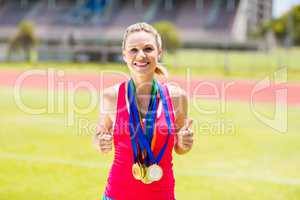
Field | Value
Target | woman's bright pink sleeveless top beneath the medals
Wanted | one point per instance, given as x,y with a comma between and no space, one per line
121,184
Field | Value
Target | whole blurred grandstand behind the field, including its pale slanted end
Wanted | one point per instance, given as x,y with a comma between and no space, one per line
95,27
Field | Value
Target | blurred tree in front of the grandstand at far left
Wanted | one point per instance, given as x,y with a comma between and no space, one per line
25,42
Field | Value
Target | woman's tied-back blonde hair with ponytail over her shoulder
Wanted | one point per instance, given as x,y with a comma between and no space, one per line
142,26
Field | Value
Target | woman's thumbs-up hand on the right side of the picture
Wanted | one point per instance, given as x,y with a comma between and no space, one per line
185,137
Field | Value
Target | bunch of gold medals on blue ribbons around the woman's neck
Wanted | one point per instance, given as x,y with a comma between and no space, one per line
146,169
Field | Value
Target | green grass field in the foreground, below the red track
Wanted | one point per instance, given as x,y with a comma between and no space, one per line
42,158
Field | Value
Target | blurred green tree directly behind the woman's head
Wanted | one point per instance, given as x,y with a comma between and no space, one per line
170,38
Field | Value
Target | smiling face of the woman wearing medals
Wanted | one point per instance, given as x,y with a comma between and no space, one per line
141,53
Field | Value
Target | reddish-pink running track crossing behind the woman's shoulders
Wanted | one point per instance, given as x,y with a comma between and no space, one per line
232,90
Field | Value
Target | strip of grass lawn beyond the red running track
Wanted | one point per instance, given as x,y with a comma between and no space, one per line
209,63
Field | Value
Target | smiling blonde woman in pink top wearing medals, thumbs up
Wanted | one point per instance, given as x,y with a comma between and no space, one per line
140,118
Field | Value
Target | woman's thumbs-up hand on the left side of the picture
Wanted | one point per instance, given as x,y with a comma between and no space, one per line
103,140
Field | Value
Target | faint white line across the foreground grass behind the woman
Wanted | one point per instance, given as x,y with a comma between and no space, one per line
191,172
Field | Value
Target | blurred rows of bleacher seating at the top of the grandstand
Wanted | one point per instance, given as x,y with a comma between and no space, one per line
195,19
